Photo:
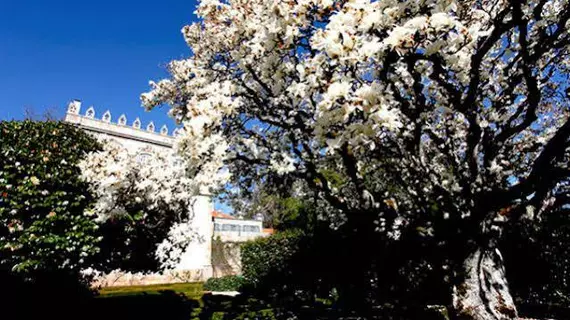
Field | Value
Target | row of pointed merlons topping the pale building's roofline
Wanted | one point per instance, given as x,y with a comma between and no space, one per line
74,108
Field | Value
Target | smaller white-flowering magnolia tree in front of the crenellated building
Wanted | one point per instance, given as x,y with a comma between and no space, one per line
154,196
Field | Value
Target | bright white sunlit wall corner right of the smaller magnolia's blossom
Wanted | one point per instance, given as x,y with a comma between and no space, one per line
198,255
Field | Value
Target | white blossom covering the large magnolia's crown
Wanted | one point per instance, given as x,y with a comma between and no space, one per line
267,76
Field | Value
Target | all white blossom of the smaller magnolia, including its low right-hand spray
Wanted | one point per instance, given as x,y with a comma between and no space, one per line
160,184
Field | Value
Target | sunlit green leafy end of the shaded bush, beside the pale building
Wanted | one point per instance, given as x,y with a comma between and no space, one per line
264,256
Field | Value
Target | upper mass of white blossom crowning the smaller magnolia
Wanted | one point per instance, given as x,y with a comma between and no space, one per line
119,180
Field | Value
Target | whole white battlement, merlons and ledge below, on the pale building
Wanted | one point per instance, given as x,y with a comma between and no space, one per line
120,129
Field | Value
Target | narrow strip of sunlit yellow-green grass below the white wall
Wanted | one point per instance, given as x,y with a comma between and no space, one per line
192,291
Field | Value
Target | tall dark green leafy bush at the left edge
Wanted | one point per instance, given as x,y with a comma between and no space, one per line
43,225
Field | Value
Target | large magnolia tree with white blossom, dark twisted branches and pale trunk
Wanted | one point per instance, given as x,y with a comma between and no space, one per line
460,106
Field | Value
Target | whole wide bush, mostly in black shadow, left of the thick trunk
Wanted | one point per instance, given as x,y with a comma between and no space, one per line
350,269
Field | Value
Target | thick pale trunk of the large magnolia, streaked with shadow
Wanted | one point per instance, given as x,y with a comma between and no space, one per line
483,293
